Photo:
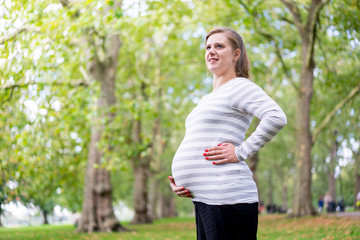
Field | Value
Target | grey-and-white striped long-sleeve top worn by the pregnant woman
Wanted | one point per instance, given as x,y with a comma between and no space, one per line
224,115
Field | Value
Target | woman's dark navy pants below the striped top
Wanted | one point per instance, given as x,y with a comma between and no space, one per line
226,222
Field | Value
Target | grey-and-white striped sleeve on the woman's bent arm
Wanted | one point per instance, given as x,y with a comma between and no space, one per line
251,99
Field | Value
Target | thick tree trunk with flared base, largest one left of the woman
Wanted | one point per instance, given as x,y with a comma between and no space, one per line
97,211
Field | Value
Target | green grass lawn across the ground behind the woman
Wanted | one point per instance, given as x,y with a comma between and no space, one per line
270,227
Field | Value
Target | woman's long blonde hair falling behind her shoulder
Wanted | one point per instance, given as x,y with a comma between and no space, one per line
242,67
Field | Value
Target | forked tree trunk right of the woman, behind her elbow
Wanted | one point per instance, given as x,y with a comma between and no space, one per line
302,202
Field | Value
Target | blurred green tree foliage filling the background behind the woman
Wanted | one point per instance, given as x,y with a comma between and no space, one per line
46,99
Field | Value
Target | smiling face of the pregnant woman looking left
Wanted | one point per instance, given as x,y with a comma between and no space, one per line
219,56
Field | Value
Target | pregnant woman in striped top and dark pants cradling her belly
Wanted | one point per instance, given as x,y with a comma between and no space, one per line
209,166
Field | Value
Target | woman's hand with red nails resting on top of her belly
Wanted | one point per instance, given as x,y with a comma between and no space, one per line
221,154
